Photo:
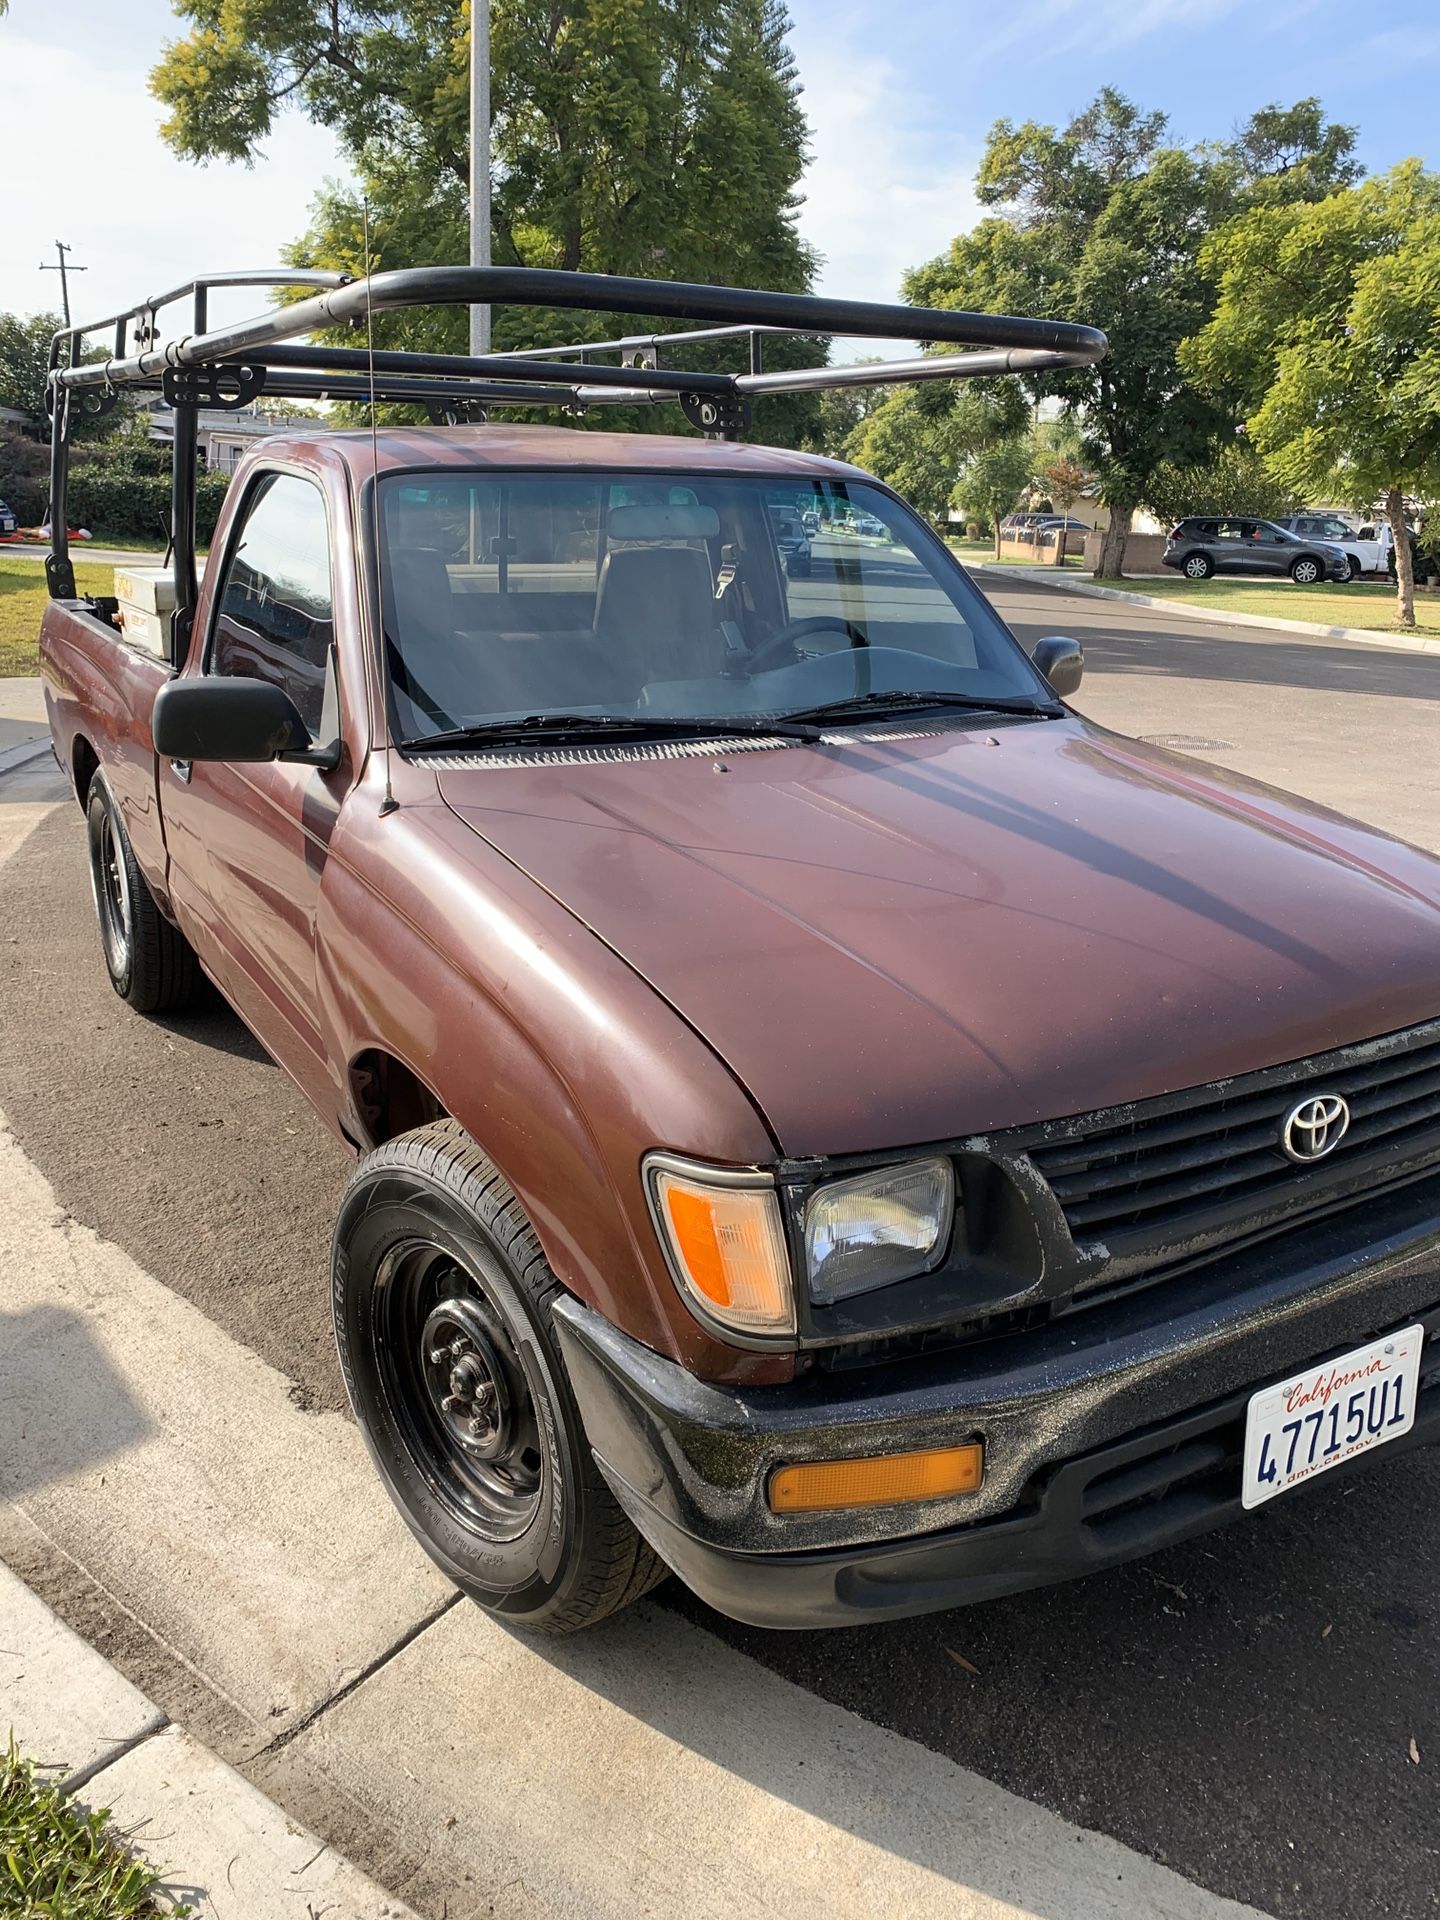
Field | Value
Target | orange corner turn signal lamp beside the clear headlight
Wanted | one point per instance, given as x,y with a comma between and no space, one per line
725,1243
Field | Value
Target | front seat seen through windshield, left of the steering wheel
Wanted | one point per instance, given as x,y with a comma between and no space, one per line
656,613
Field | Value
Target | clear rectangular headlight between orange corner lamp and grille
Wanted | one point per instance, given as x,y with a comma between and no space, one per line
878,1228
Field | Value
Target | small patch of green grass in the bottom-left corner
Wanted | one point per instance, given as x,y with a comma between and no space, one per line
60,1861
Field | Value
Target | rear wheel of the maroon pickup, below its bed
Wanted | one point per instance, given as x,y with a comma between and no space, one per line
151,963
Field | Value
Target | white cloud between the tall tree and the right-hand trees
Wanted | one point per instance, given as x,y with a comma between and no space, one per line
886,187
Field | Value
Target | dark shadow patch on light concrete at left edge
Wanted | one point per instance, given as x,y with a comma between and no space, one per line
64,1410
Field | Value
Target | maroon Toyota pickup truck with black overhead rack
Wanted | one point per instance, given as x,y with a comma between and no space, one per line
830,1120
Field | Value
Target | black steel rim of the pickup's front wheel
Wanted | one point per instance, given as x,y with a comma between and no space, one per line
460,1391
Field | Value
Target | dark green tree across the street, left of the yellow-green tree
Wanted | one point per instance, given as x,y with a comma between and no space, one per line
1103,222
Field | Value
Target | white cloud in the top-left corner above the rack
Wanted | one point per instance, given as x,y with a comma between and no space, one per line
99,178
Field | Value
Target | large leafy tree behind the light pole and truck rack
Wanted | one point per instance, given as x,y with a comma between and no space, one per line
633,137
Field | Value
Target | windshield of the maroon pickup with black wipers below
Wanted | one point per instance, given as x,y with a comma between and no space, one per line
654,596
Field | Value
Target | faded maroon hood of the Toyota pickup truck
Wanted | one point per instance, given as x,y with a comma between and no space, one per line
898,940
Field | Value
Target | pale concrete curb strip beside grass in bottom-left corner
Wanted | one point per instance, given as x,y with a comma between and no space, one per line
214,1833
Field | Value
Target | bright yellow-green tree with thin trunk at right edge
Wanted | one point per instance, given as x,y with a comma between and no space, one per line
1328,333
